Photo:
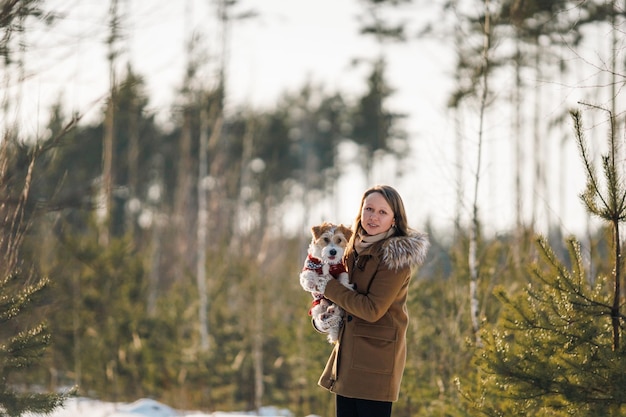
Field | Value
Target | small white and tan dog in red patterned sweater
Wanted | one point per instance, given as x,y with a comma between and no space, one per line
323,263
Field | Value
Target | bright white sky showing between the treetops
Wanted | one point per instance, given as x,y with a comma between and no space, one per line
288,44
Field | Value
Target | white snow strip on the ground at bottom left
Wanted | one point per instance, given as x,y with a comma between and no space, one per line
85,407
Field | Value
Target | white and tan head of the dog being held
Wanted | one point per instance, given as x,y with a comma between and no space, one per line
329,242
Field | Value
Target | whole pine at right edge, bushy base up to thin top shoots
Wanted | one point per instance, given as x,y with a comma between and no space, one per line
556,348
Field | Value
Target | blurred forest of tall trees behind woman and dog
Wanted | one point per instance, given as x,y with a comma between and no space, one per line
171,245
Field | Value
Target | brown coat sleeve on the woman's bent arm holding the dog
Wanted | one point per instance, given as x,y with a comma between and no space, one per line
383,291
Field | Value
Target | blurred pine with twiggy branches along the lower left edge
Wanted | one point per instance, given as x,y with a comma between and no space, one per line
23,339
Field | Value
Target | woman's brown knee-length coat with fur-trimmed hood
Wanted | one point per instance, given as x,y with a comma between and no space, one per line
368,360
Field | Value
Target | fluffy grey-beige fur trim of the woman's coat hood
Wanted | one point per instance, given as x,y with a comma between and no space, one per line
401,251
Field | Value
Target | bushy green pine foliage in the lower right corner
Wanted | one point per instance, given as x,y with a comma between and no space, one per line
551,353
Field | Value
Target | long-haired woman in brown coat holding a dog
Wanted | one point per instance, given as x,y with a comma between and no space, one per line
365,368
